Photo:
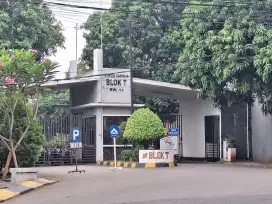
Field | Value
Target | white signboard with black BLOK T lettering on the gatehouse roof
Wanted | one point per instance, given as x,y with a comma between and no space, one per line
116,86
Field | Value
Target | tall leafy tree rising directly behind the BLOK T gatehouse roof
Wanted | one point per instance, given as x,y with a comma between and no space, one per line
154,56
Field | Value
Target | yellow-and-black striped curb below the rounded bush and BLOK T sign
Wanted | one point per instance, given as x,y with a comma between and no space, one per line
136,165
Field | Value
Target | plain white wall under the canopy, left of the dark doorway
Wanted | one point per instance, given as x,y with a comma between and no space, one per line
193,126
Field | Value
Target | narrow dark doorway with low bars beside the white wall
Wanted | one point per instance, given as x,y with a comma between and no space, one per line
212,138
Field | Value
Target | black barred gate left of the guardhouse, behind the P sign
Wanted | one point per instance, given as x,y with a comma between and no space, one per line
57,132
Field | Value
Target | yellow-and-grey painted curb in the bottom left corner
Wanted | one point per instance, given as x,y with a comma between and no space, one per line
23,188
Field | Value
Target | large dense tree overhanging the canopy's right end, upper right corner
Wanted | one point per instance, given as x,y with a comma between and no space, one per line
227,51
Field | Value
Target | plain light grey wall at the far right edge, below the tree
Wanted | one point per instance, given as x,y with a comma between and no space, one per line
261,135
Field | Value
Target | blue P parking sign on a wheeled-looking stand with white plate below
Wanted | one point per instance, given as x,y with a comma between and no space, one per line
76,144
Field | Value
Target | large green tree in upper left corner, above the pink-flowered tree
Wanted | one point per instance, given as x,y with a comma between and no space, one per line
28,24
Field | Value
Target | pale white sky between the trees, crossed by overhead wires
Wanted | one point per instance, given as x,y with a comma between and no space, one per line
69,17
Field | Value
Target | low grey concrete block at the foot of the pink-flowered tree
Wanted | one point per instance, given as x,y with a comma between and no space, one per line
23,174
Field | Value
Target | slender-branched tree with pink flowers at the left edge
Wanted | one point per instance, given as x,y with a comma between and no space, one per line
21,77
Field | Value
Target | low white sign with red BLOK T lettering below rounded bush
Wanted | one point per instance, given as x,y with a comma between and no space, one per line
155,156
